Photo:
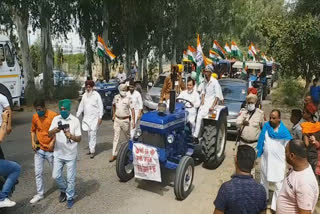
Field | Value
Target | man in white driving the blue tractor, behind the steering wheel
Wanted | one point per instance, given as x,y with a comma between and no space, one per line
194,98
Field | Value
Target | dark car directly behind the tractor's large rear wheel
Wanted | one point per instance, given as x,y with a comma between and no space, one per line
234,92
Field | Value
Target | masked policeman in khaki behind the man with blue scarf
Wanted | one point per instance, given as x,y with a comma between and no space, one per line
250,122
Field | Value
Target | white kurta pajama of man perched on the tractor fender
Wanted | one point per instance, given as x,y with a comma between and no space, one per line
211,90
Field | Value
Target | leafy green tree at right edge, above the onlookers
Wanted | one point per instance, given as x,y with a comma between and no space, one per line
293,42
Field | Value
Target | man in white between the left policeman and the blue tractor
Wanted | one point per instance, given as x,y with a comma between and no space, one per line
137,105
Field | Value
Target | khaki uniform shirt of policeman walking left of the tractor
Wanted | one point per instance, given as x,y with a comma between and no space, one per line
123,105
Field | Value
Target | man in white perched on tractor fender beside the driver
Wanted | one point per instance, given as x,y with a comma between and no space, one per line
210,96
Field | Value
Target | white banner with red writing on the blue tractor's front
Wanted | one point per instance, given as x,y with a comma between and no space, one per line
146,162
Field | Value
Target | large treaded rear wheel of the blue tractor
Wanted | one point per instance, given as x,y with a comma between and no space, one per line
213,144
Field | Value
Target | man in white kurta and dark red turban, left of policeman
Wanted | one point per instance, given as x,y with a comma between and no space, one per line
92,107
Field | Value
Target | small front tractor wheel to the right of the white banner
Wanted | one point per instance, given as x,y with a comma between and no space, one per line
184,178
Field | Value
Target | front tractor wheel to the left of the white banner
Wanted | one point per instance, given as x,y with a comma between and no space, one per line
124,166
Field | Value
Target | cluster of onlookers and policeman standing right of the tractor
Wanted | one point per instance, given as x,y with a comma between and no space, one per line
288,160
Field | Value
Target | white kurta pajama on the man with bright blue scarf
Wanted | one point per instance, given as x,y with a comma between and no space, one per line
273,166
